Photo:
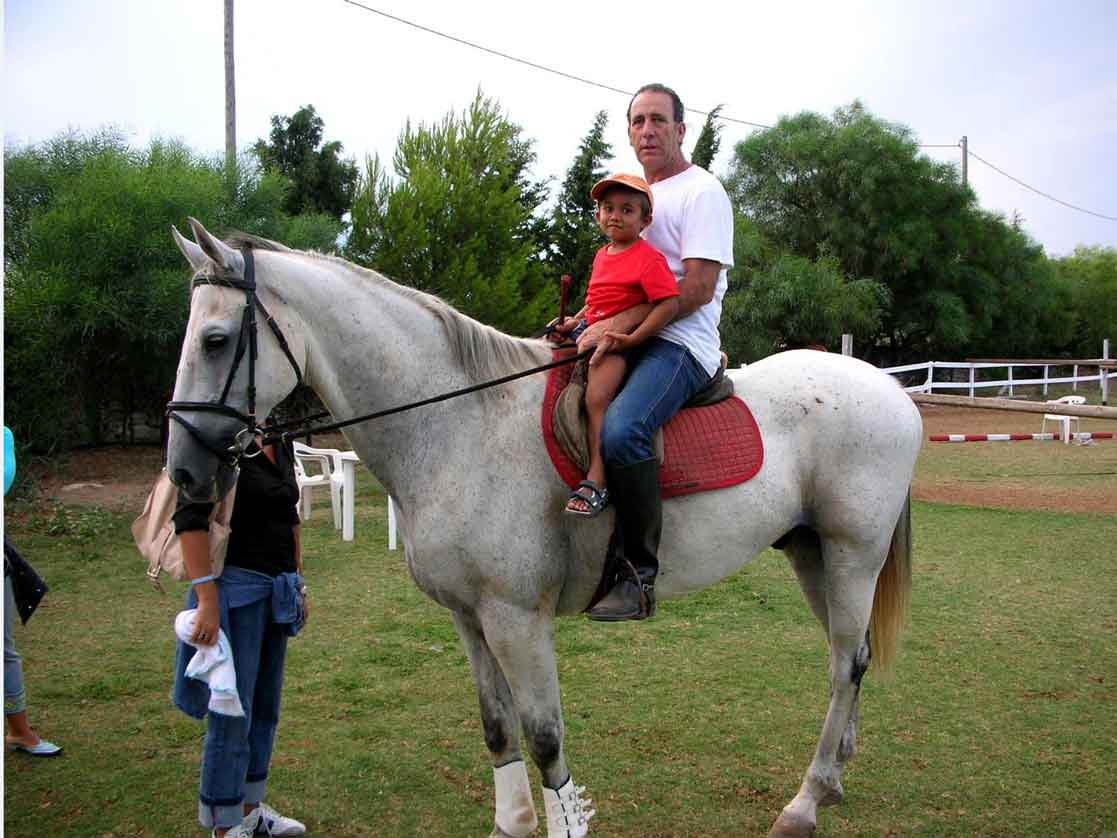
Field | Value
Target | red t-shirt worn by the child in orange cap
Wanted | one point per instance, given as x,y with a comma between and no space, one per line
628,279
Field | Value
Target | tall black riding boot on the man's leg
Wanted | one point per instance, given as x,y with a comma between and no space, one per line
635,493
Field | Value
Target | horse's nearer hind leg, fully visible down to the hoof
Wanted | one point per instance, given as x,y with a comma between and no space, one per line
851,576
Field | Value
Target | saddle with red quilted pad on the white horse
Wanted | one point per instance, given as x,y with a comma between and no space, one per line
712,443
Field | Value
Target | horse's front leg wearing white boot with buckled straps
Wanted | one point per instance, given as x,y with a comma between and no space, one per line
523,643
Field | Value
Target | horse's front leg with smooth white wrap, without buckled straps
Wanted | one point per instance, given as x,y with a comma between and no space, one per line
515,810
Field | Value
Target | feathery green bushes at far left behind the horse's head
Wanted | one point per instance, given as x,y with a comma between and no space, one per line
96,290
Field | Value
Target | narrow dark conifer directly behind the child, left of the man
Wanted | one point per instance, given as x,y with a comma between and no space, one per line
575,233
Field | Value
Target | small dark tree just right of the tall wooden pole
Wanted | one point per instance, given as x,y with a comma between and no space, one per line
323,180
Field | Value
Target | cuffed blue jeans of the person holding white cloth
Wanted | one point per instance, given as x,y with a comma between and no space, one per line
238,751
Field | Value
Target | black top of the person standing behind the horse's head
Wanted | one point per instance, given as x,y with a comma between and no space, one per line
264,513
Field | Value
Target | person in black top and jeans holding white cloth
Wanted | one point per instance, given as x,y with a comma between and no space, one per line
257,602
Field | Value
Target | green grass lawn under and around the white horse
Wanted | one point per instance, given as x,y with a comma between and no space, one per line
999,720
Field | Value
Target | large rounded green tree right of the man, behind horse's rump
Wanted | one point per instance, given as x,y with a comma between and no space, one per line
856,188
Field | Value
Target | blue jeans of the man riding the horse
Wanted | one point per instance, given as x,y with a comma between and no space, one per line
662,377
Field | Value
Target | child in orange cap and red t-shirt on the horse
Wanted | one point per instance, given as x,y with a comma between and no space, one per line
627,272
